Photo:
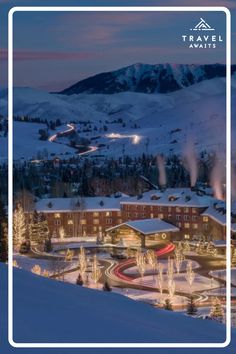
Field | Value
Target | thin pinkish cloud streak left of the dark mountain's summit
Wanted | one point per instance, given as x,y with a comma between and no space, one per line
23,55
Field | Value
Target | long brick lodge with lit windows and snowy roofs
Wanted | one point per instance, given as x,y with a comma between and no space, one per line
193,214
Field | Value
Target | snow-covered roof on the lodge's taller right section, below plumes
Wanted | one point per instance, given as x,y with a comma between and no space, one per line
183,197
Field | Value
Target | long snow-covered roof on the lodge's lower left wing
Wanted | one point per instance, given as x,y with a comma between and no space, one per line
52,205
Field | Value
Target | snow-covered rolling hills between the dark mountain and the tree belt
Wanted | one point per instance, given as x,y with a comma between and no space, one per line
153,123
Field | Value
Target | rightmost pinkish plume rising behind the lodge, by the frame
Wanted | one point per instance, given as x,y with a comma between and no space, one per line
217,179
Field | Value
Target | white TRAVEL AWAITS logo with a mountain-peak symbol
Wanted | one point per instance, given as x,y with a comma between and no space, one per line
200,38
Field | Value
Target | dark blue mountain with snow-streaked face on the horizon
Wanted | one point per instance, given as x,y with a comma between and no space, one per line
159,78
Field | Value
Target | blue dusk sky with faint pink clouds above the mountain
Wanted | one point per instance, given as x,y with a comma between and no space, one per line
54,50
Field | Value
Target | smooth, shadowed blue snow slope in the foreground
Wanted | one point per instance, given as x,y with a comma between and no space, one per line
52,311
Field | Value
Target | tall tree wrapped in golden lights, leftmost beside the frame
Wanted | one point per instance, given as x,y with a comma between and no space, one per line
19,227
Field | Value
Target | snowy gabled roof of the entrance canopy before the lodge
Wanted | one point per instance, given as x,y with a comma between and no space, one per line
148,226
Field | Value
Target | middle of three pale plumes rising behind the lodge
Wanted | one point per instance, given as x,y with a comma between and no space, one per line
190,162
